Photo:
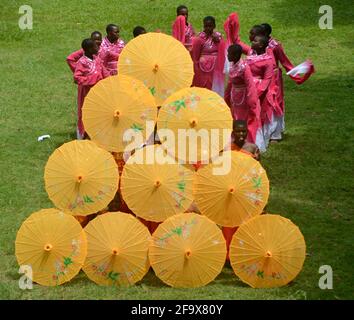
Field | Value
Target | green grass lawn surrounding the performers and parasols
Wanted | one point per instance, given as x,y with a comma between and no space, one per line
311,171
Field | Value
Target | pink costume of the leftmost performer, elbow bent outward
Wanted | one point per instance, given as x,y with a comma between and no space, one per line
87,73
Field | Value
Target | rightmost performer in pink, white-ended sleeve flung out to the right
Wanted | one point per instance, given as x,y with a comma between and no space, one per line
281,59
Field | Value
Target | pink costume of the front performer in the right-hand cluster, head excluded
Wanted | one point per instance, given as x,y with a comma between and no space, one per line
243,101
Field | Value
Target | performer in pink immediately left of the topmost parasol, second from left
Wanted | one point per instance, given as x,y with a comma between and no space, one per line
111,48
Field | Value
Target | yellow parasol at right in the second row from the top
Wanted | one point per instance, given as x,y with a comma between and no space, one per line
193,113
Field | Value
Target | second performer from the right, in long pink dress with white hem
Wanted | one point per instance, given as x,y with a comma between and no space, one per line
263,69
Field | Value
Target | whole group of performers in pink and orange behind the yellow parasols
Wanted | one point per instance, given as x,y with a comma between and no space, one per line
248,77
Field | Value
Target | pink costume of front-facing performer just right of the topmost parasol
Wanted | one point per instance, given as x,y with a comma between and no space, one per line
209,59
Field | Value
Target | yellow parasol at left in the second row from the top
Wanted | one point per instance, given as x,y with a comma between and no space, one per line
115,105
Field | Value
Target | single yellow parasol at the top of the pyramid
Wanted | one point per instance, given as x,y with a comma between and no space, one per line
160,61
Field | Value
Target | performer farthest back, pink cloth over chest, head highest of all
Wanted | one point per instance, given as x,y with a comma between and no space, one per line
182,30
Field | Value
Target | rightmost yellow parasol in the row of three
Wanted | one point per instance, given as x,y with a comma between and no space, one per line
234,196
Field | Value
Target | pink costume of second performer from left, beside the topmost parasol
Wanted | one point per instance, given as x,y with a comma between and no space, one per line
109,54
